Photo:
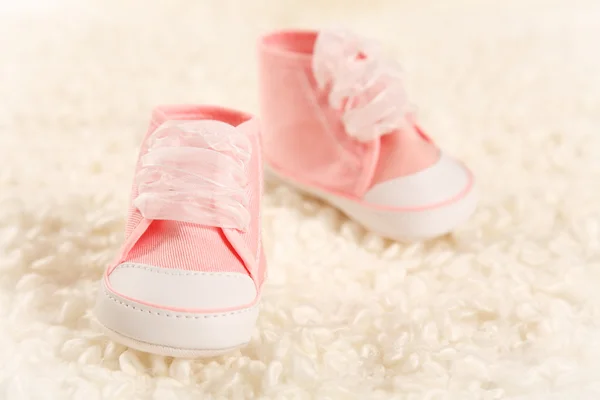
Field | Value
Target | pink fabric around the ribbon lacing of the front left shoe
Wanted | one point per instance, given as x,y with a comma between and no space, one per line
194,247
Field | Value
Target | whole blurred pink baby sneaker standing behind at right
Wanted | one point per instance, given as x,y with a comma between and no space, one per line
336,123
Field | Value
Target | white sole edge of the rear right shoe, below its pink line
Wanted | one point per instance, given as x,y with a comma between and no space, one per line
396,225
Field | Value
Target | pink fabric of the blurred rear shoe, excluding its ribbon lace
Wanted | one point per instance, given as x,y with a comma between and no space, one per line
304,138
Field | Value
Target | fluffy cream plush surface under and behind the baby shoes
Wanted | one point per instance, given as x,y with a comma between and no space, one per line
506,307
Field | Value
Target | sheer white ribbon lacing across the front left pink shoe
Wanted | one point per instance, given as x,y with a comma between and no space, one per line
195,171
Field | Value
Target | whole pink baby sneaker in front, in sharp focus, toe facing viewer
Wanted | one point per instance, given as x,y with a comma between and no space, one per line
189,275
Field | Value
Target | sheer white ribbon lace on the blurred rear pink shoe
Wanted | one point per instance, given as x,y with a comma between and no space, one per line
362,84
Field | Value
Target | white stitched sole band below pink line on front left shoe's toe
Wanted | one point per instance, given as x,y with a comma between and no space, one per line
173,334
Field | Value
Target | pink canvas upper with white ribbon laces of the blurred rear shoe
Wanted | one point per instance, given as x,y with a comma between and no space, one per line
334,113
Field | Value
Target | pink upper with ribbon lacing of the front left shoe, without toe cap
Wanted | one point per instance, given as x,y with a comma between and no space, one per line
195,203
